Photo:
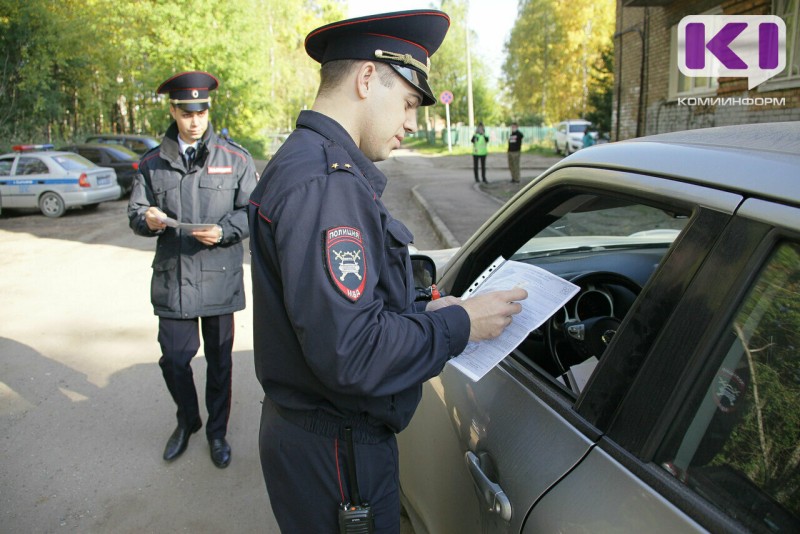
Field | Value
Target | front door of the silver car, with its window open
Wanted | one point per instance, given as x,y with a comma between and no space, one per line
484,453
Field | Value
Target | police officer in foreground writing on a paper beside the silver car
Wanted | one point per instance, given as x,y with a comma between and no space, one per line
341,349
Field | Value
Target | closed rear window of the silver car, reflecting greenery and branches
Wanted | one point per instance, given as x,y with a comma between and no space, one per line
741,448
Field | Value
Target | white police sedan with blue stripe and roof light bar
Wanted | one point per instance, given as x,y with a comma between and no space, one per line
35,176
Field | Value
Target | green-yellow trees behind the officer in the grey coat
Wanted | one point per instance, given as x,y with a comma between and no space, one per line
71,68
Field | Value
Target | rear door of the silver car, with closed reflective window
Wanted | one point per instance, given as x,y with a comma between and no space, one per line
717,397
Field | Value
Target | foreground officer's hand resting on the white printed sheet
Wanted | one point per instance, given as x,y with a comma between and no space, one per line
490,313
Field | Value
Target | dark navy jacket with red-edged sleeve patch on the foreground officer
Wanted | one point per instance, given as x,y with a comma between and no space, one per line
338,340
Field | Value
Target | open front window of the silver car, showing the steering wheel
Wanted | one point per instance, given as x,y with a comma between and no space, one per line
609,247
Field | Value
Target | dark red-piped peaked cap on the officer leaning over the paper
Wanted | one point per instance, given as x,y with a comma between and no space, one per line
403,39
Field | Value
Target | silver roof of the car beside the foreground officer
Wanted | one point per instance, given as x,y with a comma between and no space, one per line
760,160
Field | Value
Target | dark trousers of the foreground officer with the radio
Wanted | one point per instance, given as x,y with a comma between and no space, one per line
307,478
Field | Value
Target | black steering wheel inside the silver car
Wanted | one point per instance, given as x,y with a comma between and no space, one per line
572,340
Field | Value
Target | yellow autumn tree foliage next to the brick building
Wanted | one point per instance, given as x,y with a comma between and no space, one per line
552,48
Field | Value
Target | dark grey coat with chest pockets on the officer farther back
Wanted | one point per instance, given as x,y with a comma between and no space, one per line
191,279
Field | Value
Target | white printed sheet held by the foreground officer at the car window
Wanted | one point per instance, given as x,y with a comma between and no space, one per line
547,293
